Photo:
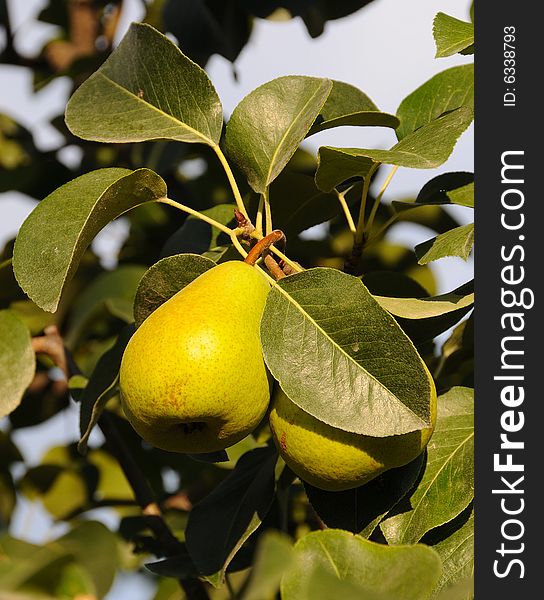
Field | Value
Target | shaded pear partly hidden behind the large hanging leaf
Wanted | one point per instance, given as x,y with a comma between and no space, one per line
332,459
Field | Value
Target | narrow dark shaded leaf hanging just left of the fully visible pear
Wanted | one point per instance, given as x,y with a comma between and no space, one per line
101,387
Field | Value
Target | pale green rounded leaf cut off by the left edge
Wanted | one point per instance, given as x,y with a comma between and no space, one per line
17,361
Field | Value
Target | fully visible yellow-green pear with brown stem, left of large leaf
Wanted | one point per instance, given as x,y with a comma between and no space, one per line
192,377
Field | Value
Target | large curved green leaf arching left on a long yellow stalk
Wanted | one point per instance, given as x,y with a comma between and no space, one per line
57,232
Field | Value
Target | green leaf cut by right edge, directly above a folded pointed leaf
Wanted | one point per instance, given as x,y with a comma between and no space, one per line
444,92
